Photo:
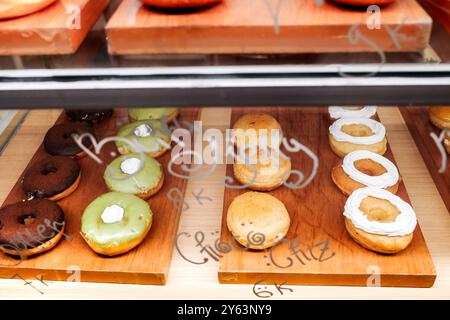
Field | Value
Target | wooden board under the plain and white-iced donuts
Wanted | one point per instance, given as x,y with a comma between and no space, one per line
330,256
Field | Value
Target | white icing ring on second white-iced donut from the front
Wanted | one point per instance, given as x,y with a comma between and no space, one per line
385,180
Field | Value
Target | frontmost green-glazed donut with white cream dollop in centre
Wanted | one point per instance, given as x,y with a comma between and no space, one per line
115,223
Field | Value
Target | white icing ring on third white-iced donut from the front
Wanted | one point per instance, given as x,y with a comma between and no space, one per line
378,130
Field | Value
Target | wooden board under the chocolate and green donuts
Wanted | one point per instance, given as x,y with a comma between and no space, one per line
146,264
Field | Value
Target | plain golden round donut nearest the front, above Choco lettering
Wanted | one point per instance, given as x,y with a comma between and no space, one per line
258,220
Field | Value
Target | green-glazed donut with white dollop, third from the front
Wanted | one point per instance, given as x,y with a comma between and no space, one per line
144,134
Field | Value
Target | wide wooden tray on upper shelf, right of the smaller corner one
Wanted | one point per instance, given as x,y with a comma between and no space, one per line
237,26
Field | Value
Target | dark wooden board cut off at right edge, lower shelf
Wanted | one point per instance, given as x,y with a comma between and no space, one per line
419,125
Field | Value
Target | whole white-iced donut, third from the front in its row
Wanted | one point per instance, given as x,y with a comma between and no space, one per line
351,134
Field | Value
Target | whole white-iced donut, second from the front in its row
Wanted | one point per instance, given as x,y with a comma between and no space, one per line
363,168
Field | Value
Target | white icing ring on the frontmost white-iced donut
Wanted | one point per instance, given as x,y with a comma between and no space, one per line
404,224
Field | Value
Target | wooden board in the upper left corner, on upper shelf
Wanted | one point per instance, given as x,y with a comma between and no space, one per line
53,30
